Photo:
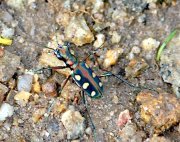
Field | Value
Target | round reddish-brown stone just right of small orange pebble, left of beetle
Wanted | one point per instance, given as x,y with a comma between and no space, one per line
49,88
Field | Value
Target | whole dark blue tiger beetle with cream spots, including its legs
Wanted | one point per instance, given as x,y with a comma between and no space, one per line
83,76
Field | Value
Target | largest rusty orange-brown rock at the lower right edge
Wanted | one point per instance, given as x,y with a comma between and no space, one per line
160,112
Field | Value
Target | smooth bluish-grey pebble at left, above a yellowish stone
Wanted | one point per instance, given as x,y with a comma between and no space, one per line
25,83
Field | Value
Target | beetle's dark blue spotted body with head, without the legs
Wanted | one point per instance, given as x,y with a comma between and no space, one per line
81,73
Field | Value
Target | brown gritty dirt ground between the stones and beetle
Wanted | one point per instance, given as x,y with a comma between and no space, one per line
35,24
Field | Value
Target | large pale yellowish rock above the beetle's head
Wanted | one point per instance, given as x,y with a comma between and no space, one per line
75,28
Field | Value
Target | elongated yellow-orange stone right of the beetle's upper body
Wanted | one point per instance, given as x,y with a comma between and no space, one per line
112,57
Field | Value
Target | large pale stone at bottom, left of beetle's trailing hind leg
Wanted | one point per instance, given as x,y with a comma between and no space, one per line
74,124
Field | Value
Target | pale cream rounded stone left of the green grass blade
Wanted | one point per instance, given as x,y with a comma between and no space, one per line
150,44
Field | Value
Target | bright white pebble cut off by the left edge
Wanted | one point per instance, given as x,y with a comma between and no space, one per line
6,110
